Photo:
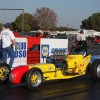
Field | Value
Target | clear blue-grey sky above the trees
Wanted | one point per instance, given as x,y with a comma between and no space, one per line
69,12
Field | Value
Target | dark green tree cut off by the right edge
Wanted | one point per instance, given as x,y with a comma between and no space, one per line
93,22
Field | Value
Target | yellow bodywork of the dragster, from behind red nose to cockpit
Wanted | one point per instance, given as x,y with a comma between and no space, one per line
77,65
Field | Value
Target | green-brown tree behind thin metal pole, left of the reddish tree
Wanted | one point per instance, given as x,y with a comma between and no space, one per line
28,21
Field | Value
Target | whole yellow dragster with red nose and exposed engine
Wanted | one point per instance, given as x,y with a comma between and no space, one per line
58,66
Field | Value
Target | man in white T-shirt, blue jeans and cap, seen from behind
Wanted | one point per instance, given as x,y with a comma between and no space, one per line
8,40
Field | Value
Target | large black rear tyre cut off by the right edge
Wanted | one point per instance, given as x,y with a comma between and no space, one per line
95,70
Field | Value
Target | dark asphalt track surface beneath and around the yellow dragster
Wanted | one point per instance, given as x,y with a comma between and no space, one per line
81,88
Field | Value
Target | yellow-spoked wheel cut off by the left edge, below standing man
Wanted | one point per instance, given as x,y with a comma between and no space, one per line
4,71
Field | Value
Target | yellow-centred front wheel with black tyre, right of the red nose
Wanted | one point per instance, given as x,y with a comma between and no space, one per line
34,78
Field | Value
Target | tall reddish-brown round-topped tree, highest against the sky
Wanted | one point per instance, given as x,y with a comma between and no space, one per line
45,18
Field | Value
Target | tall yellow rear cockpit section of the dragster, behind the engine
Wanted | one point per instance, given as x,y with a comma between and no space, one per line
78,63
